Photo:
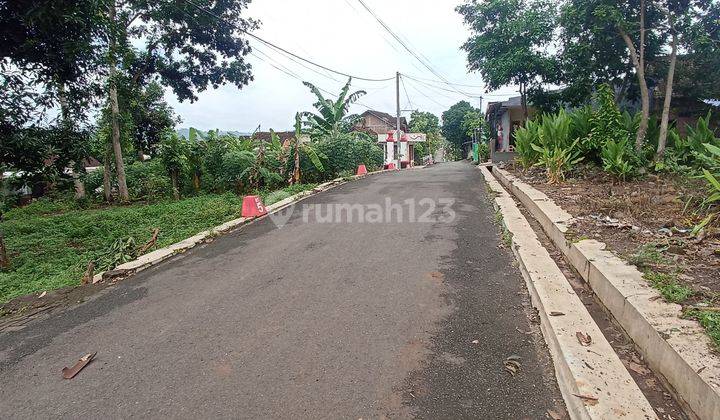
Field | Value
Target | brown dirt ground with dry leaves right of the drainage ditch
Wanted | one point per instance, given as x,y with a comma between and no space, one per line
648,222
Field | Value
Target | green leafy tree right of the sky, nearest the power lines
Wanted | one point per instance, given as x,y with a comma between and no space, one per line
508,43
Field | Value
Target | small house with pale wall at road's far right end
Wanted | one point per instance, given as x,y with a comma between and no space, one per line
504,117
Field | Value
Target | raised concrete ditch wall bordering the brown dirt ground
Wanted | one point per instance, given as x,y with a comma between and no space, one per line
677,349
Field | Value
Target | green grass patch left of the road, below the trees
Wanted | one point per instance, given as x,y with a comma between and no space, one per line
50,243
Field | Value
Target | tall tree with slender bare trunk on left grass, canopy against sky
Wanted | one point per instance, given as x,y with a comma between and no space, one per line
187,46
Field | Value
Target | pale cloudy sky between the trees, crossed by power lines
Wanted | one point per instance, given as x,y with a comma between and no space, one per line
342,35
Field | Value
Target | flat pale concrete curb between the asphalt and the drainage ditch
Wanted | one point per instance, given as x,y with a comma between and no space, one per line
593,371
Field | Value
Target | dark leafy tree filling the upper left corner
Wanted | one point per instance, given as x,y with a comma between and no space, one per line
48,52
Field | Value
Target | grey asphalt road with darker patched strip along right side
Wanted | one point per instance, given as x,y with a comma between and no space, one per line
318,319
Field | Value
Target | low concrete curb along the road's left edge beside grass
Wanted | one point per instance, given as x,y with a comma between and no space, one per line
152,258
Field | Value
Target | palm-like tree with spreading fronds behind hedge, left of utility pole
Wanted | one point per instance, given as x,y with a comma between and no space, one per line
333,115
